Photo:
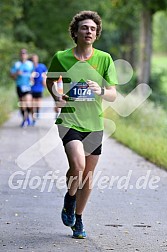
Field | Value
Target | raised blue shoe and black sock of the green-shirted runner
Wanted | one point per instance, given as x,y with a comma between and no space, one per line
68,213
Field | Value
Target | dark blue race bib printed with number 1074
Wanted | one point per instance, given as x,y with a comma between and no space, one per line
79,91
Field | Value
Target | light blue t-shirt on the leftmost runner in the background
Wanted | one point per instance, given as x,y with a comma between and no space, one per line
24,80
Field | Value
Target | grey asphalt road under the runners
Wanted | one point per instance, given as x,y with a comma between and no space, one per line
127,210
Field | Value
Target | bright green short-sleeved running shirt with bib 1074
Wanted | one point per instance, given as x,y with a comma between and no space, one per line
83,111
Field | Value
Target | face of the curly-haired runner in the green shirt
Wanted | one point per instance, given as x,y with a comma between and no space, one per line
86,33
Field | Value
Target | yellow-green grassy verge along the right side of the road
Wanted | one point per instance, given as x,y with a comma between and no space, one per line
144,131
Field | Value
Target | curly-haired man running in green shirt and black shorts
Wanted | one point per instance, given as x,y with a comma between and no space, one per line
89,77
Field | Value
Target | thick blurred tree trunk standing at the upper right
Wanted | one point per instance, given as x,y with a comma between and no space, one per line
145,47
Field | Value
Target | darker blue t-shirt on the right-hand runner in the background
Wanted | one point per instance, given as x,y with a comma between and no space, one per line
38,78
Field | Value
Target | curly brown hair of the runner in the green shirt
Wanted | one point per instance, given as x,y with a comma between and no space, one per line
82,15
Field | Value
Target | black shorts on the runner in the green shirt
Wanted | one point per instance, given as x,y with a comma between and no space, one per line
92,141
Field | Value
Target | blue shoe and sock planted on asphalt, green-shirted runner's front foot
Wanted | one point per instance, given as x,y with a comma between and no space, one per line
78,230
